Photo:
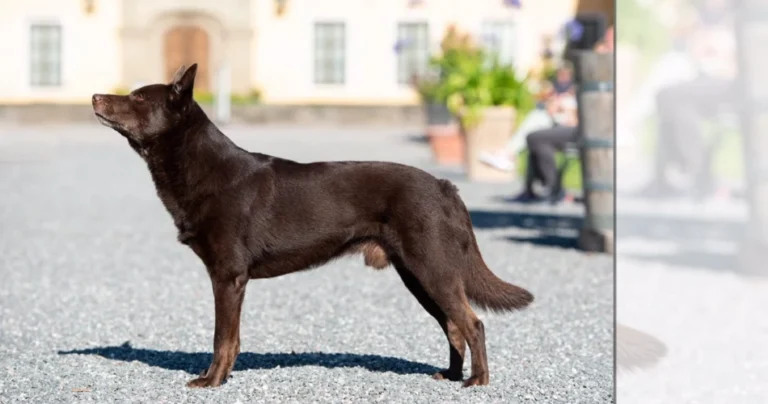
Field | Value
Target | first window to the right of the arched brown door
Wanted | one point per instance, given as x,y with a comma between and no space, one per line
330,53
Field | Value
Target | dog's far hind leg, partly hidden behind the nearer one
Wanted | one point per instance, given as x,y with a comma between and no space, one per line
456,342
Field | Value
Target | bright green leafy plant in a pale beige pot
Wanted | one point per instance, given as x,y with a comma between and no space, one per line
490,99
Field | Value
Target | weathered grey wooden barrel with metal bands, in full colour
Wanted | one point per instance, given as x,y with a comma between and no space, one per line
596,134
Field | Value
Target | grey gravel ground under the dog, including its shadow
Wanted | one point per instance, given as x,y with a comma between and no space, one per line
99,303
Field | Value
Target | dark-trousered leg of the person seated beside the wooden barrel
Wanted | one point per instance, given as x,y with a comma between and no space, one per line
542,146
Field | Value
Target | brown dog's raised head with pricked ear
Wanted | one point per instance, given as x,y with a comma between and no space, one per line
150,111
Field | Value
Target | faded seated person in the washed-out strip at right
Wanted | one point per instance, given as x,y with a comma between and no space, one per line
683,107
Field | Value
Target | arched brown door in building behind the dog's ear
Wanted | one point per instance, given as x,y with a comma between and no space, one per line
187,44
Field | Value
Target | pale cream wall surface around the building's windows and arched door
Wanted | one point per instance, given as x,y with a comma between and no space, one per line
98,55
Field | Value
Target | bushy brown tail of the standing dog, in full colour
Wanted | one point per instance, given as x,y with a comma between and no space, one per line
481,285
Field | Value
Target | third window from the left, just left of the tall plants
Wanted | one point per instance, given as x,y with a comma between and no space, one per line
412,50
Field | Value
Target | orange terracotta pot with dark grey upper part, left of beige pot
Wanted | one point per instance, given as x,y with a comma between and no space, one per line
444,134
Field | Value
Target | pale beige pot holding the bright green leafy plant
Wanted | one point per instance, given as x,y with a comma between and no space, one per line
489,135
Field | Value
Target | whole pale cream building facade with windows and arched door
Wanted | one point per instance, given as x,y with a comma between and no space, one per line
292,51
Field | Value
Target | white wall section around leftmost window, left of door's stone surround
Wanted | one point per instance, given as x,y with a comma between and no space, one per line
90,51
